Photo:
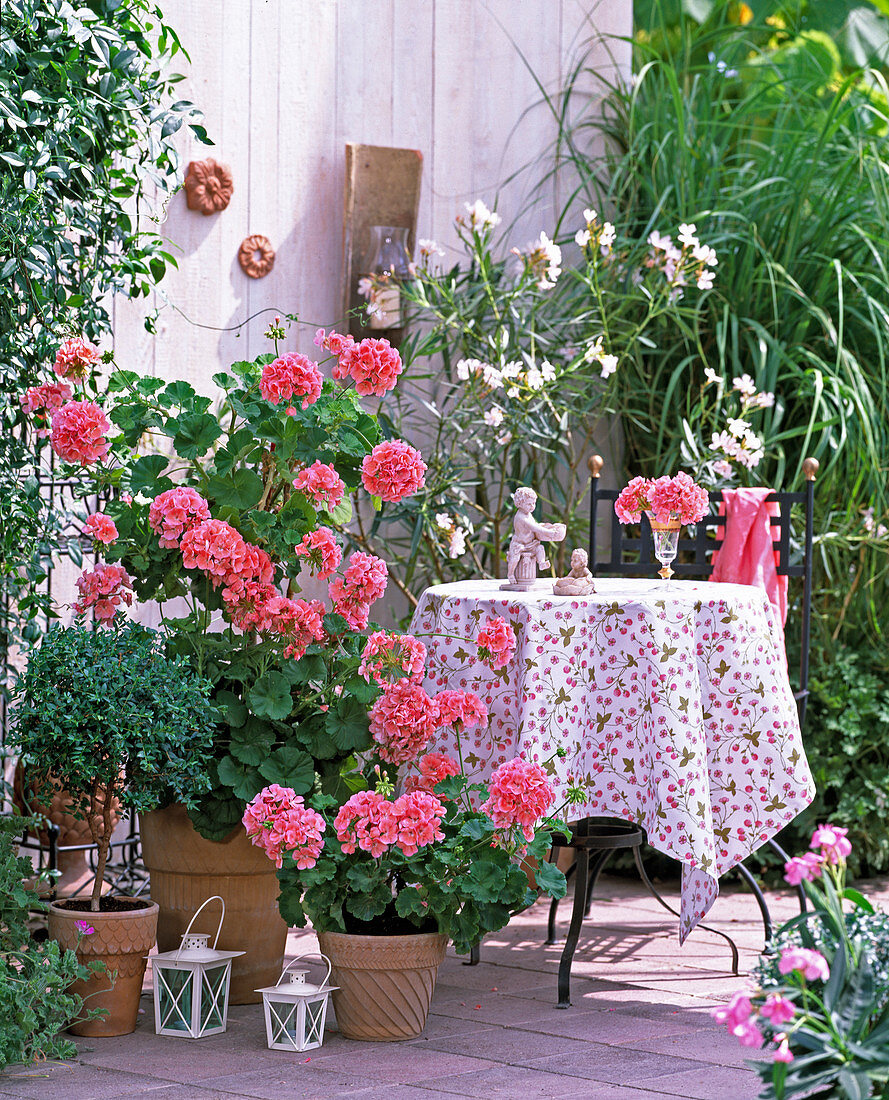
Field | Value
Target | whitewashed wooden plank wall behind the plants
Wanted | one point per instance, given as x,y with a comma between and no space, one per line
284,84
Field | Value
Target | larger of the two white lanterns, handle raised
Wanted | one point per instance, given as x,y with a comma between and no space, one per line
192,985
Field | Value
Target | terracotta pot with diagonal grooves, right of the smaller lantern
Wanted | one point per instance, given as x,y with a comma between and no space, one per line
386,983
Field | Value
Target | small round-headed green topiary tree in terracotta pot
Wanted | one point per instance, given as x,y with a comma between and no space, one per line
113,719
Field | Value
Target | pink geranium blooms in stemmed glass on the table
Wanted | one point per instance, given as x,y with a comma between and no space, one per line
670,503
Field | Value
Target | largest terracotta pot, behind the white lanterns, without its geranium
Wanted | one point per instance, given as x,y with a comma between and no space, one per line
186,871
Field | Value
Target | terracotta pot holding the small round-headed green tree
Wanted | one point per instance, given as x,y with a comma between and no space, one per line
123,941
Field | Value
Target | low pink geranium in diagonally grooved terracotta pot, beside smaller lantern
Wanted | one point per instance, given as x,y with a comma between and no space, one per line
388,881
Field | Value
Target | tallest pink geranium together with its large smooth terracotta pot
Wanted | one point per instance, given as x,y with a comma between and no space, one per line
217,514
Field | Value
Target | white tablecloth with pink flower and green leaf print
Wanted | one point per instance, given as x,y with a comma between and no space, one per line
672,700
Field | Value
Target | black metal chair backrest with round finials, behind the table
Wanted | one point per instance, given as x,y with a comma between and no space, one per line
633,552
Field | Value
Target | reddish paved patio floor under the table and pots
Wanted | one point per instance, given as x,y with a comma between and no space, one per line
640,1026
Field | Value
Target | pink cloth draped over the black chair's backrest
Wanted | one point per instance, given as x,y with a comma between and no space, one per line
748,556
